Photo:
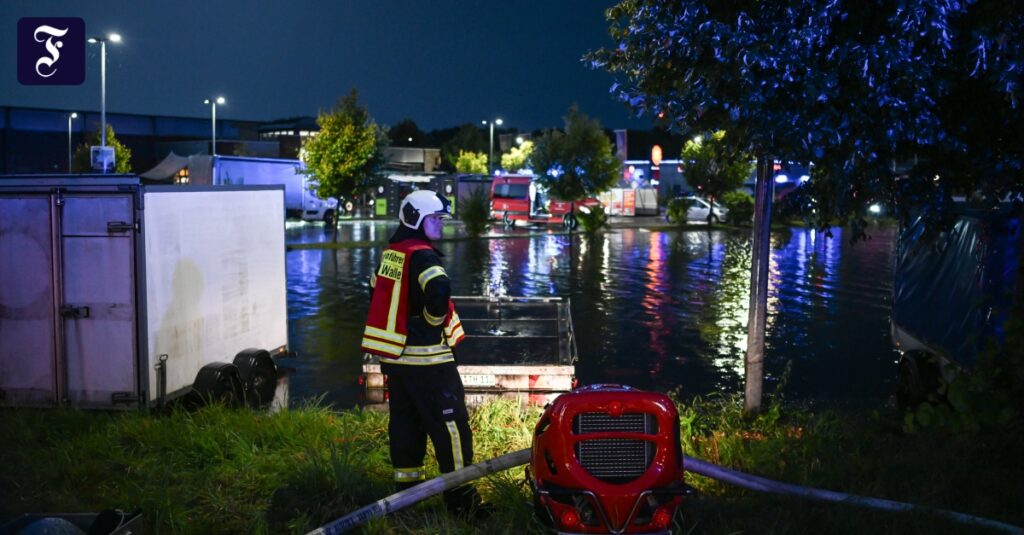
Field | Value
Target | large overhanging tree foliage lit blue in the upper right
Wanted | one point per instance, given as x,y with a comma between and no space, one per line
867,92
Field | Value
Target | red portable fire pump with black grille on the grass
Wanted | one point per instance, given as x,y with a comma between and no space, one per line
609,459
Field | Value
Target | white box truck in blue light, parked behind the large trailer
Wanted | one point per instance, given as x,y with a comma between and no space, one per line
300,201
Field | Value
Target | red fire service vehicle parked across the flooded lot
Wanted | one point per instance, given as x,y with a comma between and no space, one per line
521,198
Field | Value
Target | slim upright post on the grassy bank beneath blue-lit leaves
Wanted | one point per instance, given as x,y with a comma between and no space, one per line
760,256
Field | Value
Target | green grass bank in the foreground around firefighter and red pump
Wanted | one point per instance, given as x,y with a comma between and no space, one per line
224,471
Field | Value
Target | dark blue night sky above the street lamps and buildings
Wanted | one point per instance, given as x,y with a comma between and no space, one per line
440,63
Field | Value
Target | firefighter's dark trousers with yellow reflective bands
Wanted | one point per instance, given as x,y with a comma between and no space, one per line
429,401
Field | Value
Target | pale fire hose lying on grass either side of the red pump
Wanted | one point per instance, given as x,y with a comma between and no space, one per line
455,479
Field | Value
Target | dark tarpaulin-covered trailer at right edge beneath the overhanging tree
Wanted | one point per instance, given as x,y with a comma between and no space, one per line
952,296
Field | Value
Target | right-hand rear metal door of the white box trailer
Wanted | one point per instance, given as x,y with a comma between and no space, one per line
98,235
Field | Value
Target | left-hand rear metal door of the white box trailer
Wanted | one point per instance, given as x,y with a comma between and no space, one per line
28,278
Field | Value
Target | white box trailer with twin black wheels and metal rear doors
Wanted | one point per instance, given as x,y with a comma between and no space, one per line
116,295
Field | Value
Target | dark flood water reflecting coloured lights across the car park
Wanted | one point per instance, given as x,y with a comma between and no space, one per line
654,310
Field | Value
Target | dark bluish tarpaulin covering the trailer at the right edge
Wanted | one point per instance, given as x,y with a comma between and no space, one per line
953,294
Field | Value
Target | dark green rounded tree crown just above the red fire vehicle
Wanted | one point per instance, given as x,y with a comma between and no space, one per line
578,162
